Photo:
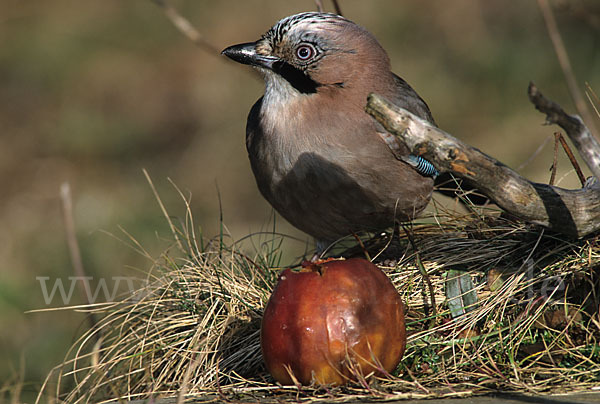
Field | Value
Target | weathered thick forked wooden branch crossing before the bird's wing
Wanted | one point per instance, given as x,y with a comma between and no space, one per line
571,212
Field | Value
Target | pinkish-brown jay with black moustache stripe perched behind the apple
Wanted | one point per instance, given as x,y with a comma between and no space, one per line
318,158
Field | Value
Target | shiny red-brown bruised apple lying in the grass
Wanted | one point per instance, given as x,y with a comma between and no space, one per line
330,319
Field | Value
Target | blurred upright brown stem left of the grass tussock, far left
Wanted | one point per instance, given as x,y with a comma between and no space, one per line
73,244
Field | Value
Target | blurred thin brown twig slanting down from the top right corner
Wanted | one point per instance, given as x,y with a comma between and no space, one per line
565,64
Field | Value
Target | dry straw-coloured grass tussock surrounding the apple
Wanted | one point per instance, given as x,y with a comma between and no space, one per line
193,329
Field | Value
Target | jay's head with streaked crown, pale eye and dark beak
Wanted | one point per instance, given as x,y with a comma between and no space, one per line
315,52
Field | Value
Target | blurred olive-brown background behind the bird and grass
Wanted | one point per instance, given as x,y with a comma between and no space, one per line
93,92
